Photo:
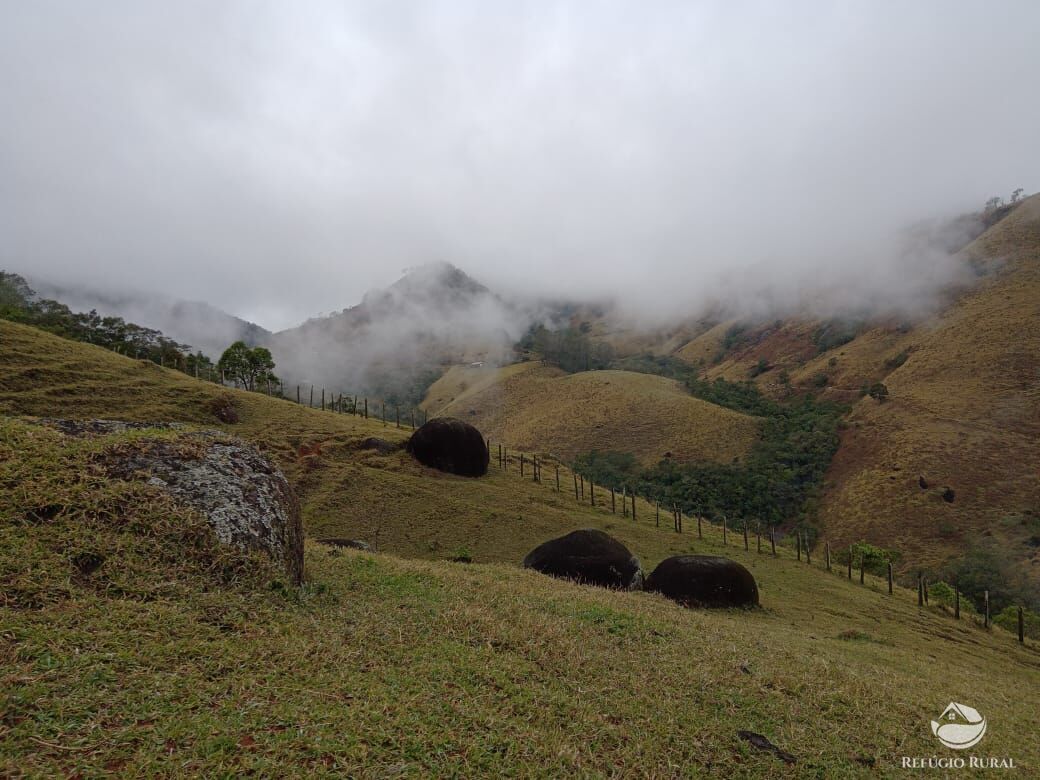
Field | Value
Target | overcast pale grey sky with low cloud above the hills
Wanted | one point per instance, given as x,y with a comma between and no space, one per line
280,160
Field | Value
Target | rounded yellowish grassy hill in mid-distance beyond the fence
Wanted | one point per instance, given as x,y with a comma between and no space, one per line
539,409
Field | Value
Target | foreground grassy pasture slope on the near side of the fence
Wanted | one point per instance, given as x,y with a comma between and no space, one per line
385,665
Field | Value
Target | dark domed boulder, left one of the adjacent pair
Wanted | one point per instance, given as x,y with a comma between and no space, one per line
588,556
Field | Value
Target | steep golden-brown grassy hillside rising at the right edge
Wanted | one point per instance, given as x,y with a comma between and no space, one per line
964,413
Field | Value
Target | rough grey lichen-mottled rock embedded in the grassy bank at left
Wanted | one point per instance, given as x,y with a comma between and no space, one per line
247,500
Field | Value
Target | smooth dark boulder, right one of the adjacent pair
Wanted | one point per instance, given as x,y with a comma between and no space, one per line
705,581
